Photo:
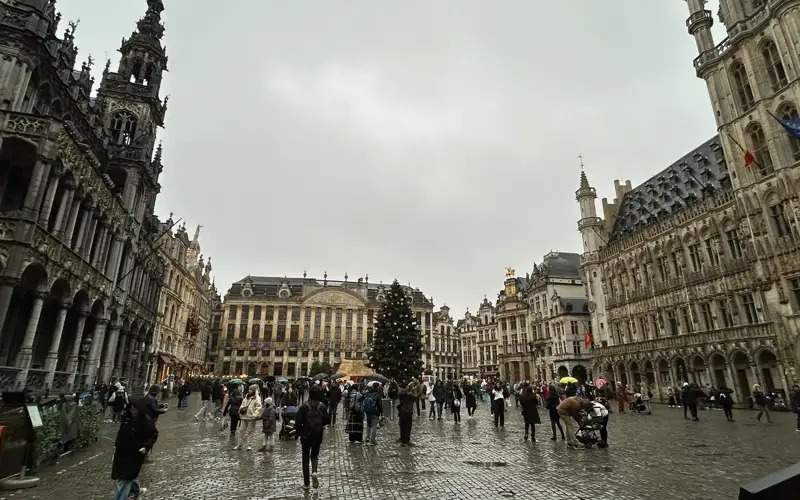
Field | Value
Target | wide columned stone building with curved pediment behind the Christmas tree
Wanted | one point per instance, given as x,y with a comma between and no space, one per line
280,326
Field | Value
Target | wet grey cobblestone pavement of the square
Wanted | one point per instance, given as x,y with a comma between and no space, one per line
659,456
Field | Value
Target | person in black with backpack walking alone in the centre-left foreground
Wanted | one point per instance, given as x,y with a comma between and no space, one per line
312,417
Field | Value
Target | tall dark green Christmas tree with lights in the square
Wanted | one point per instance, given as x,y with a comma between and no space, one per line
396,349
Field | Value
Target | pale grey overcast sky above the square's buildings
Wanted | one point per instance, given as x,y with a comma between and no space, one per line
433,142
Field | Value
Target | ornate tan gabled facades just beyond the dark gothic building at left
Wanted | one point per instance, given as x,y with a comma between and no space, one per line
184,308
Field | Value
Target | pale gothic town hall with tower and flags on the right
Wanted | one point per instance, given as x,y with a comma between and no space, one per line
695,274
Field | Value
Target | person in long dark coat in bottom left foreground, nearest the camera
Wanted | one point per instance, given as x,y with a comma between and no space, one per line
136,435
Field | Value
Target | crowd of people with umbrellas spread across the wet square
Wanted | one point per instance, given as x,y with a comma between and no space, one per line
577,413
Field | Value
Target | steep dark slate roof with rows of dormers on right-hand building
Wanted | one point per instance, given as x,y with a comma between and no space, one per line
699,174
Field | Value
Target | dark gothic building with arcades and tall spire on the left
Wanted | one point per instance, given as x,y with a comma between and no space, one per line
78,182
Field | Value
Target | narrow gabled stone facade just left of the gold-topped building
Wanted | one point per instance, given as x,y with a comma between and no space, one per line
477,335
